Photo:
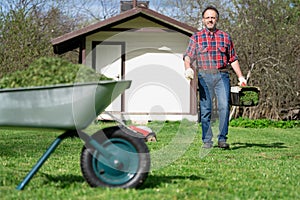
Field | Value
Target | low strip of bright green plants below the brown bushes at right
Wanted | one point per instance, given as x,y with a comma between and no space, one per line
263,123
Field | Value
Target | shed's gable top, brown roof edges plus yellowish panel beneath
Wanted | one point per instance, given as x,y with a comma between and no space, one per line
137,17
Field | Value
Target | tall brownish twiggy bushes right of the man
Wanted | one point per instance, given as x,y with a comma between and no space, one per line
267,39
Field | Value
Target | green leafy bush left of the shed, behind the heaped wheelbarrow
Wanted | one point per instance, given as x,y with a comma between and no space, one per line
21,41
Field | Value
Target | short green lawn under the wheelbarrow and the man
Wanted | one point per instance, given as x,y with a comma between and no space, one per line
261,164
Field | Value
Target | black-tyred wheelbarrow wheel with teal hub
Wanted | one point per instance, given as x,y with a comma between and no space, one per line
127,166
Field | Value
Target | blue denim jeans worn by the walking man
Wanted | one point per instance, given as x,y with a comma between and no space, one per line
214,85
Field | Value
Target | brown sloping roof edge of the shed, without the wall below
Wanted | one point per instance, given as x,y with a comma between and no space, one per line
73,39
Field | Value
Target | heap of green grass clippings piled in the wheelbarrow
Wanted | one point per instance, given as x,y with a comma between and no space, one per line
50,71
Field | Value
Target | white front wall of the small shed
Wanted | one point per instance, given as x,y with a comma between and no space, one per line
154,63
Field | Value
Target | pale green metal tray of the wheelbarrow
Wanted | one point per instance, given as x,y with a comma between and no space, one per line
65,107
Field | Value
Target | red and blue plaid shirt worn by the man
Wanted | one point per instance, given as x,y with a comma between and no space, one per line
211,51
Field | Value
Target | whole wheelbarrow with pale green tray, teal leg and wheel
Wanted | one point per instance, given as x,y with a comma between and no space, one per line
112,157
